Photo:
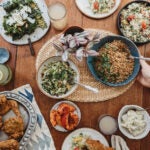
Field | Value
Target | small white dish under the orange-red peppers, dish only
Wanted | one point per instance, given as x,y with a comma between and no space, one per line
77,112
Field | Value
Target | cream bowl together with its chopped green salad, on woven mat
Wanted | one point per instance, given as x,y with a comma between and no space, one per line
56,78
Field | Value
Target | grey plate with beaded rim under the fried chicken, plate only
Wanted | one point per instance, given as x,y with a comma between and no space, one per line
28,114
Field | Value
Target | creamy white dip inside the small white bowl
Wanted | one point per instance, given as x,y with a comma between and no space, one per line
134,122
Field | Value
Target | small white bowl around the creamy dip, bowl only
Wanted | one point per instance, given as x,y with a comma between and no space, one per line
125,131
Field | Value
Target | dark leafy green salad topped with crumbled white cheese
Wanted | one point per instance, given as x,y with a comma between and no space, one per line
22,17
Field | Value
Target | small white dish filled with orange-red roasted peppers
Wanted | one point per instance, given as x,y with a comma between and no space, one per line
65,116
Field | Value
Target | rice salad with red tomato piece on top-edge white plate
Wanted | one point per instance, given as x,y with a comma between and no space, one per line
101,6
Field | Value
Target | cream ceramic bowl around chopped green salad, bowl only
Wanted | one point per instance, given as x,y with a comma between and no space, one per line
54,59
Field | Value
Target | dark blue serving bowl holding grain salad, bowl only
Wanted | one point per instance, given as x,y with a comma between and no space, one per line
133,50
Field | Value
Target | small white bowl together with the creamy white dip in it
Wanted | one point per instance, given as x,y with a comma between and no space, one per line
133,121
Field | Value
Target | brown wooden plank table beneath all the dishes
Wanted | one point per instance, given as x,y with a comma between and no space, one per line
23,66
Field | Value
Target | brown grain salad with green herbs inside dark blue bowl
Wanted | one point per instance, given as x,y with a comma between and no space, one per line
113,63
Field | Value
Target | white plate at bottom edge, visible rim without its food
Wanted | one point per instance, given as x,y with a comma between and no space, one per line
95,135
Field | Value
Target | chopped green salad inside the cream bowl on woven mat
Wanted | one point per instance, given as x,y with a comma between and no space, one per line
57,78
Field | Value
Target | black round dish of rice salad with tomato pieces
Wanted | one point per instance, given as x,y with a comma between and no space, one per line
124,26
